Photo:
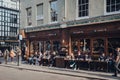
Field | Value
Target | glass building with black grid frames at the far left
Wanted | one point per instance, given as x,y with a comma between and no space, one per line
9,23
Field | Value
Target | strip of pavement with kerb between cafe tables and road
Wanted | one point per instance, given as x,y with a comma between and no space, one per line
92,75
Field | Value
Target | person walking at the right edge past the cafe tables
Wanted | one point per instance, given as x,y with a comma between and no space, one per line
116,61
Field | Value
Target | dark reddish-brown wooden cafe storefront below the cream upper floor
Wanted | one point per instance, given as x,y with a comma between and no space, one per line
93,39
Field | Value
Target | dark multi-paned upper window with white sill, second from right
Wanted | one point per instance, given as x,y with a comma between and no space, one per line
82,8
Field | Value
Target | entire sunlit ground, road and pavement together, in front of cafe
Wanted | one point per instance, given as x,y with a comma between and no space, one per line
11,71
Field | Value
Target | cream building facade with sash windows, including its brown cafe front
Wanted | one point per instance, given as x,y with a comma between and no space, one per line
77,25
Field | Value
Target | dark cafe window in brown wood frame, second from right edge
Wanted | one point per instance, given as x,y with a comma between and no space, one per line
98,46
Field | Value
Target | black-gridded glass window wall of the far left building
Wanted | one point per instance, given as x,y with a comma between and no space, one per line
8,24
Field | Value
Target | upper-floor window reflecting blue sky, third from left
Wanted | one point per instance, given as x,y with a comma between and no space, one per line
53,10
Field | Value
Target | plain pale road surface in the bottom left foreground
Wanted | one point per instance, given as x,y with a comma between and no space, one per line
17,74
